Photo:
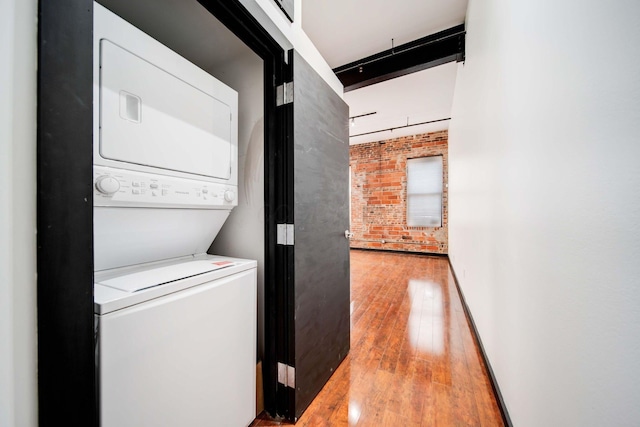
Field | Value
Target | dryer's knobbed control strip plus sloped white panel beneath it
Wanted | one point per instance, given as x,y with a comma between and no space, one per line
140,218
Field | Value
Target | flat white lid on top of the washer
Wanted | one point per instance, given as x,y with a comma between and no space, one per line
135,282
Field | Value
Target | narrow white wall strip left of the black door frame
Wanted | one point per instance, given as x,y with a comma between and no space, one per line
18,393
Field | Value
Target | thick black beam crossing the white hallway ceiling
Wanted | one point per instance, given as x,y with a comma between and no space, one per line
430,51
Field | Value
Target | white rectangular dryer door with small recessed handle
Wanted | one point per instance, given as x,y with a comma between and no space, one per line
150,117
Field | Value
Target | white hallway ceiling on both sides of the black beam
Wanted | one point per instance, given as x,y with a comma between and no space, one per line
345,31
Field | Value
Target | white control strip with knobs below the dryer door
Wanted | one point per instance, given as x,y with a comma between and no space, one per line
119,187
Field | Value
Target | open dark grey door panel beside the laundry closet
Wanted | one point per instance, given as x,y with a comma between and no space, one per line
321,212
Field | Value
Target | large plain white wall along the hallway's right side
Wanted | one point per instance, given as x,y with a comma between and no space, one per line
544,193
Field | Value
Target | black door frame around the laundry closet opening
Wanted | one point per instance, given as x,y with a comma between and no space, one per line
67,388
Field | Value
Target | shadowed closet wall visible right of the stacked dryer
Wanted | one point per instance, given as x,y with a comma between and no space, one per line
242,235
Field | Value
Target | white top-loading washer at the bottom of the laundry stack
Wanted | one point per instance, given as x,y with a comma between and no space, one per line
181,353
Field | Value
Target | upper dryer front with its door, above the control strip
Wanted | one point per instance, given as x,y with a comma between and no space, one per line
156,112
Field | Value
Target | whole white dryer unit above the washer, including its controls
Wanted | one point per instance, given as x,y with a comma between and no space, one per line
165,149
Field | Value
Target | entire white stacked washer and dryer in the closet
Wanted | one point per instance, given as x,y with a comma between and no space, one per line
175,327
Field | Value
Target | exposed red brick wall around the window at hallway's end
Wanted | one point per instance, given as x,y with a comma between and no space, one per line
379,193
